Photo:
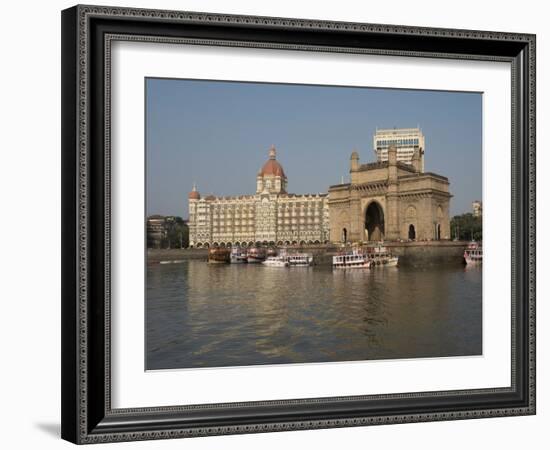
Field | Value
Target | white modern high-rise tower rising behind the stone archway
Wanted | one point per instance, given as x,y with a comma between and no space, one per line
406,140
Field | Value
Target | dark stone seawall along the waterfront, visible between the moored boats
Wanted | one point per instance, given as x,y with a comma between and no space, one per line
411,254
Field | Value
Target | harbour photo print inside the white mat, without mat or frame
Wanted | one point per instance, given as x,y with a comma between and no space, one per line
294,224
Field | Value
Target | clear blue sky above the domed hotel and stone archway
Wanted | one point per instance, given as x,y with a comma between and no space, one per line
217,134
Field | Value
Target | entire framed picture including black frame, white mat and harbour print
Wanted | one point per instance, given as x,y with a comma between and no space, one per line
277,224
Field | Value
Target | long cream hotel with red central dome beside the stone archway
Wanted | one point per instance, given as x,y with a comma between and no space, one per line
270,216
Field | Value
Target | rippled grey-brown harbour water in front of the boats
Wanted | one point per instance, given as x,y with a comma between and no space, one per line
201,315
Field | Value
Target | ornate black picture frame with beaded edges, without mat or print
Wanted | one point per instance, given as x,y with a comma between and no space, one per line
87,33
